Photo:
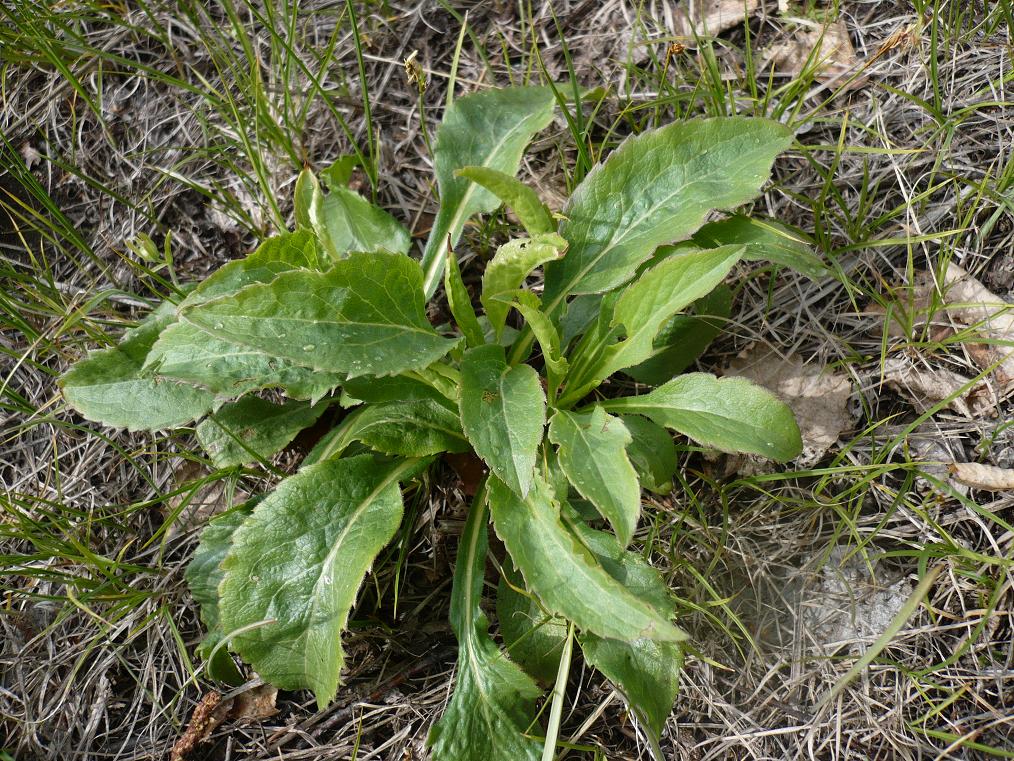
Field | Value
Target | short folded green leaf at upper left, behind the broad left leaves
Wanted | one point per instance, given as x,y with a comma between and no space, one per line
345,222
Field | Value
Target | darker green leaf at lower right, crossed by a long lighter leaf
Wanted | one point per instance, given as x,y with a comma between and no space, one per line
647,672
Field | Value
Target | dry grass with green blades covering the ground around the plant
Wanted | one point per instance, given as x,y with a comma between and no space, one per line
97,621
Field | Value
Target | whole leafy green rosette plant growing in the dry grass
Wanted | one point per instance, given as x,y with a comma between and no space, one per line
335,314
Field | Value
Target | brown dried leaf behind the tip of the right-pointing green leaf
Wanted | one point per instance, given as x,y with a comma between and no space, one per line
819,398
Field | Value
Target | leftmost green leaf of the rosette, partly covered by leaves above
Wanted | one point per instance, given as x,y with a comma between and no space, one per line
109,386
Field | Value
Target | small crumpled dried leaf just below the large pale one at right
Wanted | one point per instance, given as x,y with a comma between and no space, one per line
928,387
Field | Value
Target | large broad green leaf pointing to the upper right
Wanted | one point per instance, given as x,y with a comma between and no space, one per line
657,188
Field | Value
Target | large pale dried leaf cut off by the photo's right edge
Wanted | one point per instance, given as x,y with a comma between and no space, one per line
972,304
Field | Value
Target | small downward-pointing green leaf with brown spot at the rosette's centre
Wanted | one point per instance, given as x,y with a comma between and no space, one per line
503,412
